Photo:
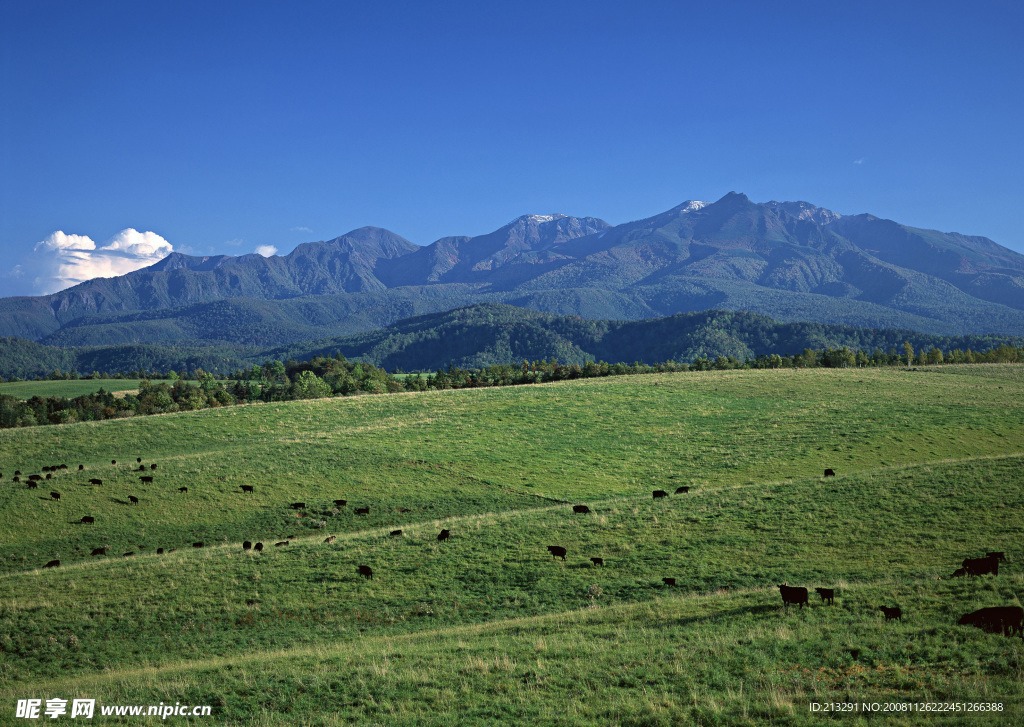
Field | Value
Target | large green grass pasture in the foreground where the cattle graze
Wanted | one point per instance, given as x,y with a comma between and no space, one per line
488,628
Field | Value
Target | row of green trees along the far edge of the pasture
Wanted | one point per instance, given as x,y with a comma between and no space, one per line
335,376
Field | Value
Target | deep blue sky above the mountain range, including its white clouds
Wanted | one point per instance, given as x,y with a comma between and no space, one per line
224,127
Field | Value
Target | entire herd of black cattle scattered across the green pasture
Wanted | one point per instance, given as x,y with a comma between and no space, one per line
1004,620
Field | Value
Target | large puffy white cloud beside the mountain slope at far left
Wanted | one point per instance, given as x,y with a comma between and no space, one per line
64,261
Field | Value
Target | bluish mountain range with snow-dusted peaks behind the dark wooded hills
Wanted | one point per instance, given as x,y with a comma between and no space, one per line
791,262
